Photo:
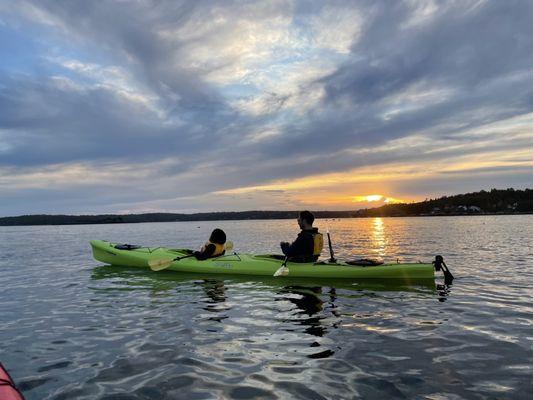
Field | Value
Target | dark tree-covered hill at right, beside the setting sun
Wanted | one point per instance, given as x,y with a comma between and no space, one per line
495,201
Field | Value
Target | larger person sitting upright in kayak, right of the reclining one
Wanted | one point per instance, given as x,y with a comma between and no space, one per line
309,243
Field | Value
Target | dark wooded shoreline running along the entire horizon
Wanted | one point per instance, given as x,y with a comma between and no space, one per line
495,201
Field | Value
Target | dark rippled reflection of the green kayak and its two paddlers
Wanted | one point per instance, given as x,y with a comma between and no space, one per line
315,310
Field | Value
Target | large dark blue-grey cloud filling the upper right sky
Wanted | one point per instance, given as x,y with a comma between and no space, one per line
403,80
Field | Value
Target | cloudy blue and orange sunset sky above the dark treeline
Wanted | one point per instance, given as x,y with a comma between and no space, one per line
195,106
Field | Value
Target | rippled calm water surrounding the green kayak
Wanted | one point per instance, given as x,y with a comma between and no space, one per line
74,329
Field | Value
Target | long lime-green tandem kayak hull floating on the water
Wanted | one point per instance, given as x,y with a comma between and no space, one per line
250,264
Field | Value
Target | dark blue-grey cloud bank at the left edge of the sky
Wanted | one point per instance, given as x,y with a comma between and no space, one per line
55,120
